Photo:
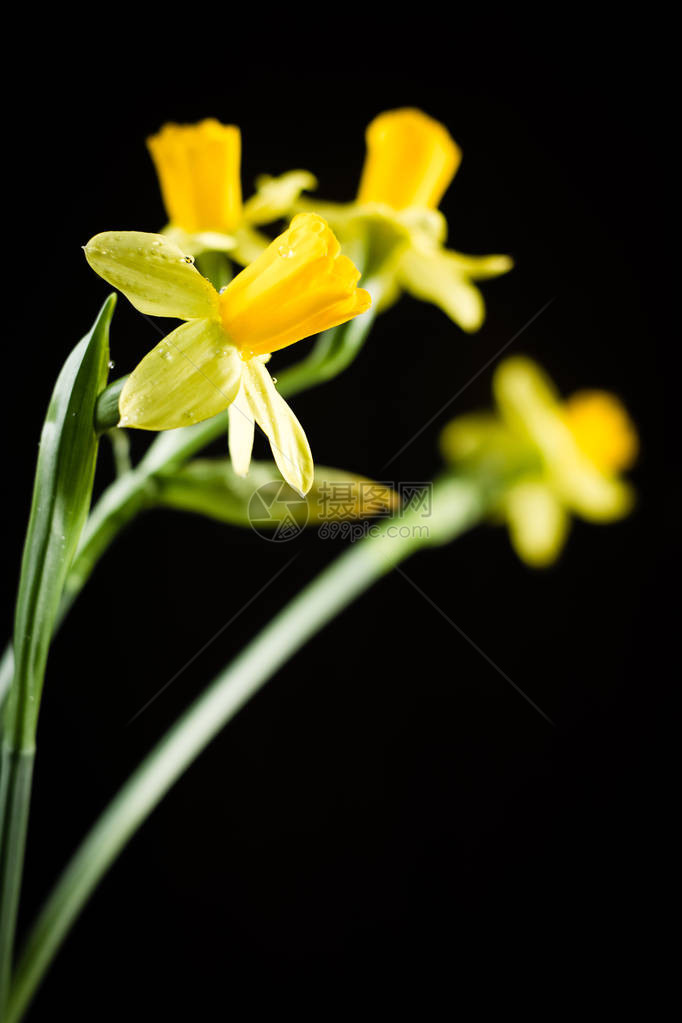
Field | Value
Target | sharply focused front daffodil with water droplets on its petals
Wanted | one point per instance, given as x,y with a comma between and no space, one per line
216,361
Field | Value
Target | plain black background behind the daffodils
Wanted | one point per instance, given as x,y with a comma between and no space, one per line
389,810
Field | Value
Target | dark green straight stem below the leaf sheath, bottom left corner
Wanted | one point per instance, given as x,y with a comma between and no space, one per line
16,775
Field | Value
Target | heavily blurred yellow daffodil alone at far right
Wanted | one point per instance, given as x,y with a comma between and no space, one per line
556,457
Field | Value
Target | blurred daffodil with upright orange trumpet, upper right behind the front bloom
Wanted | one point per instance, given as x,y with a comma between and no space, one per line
412,160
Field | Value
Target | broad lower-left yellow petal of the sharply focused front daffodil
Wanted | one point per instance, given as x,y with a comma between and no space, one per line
191,376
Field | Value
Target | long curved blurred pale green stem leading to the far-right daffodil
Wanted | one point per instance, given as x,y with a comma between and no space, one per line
458,506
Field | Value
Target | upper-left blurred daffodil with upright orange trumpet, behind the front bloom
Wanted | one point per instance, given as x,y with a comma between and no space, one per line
199,169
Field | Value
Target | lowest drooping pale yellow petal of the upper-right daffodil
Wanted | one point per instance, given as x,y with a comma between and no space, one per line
434,277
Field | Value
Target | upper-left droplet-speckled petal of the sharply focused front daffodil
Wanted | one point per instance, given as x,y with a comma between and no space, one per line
153,274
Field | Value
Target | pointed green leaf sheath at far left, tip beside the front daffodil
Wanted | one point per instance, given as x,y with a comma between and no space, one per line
62,497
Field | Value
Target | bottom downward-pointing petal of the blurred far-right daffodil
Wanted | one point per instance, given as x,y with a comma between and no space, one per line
538,523
